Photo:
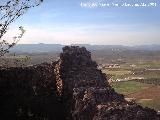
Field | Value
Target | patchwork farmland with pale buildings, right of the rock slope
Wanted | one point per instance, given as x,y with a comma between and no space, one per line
139,81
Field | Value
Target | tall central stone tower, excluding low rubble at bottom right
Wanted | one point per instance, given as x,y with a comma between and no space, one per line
83,85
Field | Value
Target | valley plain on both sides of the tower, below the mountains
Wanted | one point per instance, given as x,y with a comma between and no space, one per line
135,74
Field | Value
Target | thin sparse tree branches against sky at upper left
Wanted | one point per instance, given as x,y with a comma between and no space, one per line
9,12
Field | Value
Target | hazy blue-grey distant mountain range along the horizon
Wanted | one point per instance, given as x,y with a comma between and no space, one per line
37,48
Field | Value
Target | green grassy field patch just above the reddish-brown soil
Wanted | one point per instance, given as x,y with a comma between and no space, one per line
129,87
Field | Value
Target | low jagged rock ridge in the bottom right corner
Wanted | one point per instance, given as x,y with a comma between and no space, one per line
125,111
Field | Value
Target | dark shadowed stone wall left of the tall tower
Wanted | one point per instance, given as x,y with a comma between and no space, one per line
29,93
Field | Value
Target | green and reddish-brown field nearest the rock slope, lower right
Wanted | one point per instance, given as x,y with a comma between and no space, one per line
146,95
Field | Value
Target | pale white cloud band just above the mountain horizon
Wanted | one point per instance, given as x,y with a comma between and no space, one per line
90,34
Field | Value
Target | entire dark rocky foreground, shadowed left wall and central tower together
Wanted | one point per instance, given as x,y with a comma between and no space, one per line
71,88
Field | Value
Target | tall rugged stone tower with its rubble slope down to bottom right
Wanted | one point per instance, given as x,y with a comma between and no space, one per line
87,94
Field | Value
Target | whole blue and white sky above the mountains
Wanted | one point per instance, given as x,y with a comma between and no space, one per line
78,22
